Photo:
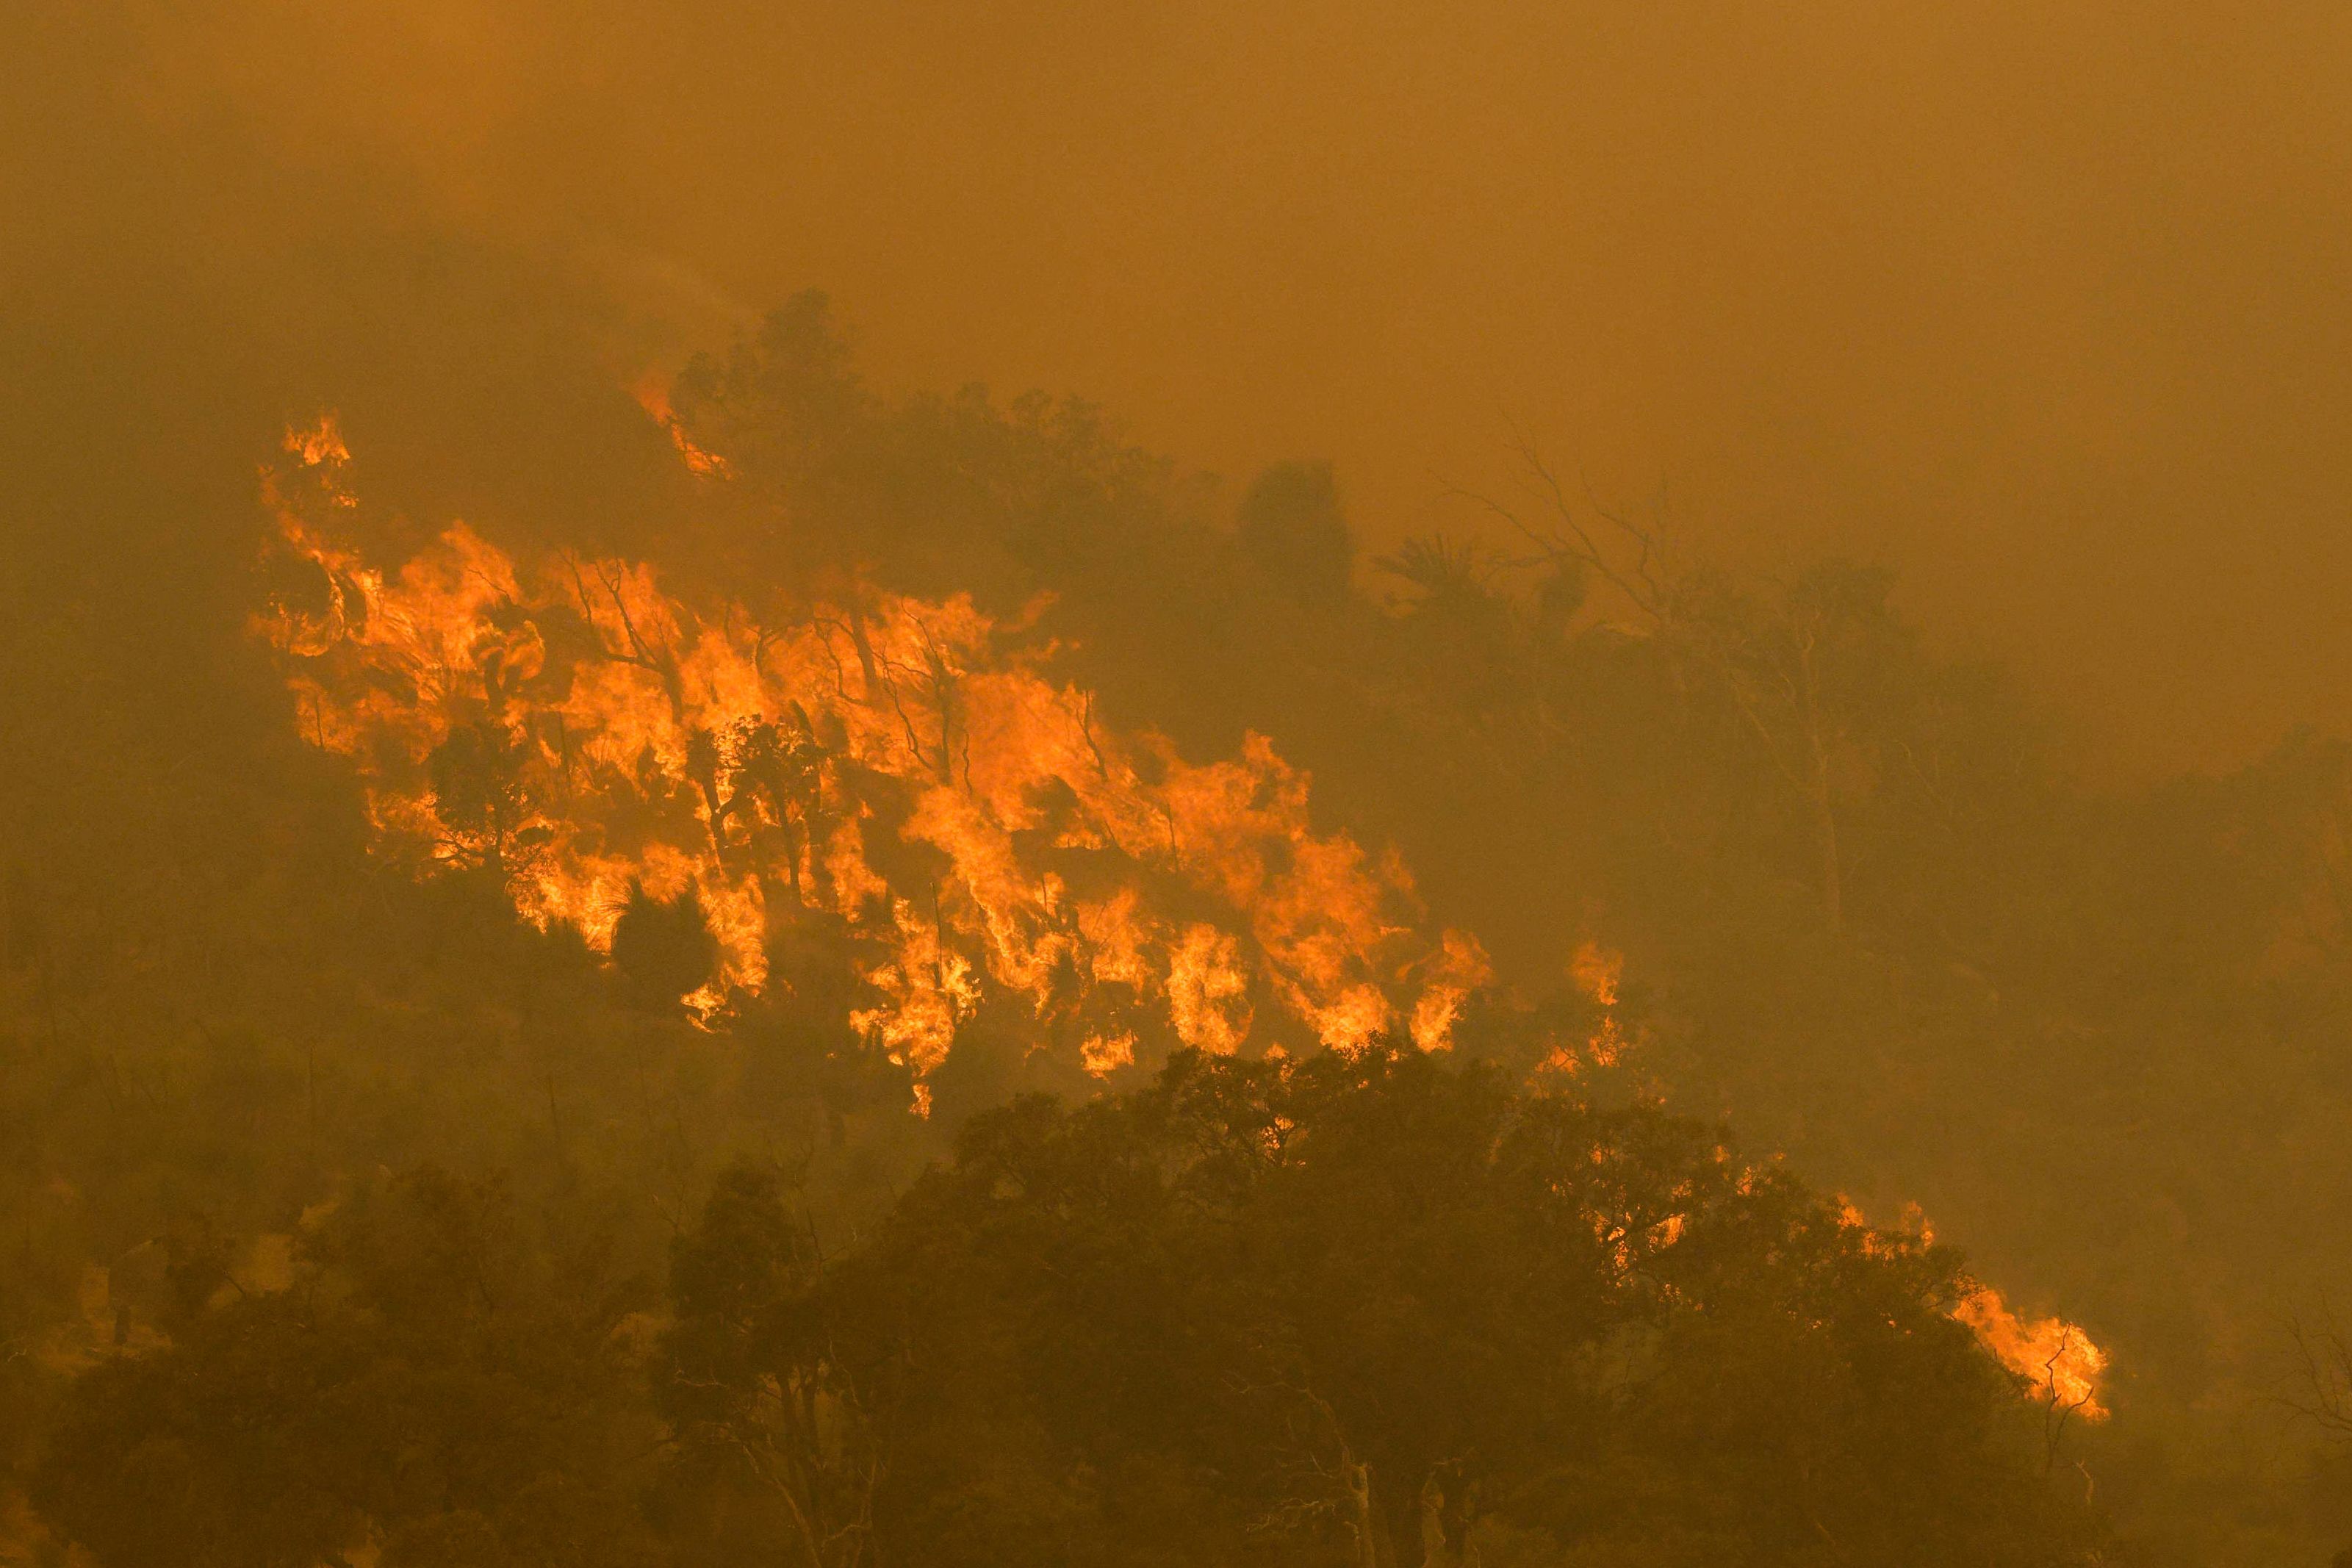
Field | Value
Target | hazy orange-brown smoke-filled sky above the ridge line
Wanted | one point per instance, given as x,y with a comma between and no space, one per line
2043,304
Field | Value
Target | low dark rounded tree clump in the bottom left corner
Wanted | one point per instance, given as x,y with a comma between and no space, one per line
439,1383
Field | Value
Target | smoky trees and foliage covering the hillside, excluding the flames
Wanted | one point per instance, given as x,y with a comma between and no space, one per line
1864,911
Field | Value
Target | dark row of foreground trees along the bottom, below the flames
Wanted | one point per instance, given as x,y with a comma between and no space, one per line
1347,1311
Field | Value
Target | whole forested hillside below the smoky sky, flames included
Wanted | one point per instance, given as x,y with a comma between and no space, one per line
1358,1193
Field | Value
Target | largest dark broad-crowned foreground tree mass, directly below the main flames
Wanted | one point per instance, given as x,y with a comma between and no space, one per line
1304,1301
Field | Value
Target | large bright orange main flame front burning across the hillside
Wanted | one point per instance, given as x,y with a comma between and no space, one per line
888,777
